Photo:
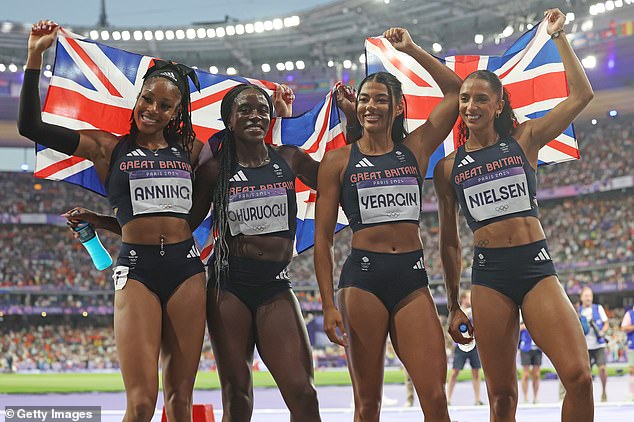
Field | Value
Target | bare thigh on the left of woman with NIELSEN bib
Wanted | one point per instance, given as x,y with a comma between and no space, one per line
496,325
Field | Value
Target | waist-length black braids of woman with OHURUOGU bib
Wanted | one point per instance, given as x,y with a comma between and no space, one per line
228,162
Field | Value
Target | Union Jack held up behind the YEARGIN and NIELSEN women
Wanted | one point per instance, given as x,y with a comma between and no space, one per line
531,70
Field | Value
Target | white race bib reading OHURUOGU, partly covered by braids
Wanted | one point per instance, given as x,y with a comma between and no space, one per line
258,212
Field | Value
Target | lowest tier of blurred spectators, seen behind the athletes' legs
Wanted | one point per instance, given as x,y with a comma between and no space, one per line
89,345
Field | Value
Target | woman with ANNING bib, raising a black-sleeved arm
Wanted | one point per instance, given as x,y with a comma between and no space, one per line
159,280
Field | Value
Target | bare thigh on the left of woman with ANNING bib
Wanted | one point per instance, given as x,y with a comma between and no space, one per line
137,330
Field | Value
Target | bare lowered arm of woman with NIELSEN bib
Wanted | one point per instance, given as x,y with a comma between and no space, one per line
450,247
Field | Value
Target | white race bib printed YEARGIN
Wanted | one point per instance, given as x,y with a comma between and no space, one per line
388,200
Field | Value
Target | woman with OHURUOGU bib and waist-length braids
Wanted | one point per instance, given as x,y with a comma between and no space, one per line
249,301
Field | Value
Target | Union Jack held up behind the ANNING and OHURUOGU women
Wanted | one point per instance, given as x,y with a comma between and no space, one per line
95,86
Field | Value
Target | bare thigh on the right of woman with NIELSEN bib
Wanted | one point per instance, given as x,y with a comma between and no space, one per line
554,325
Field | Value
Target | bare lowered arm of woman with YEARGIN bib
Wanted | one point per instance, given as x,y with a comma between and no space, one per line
328,191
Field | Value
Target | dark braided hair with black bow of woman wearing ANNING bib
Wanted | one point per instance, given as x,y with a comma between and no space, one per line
179,129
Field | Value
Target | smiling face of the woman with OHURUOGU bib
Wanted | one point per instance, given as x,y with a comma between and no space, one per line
250,116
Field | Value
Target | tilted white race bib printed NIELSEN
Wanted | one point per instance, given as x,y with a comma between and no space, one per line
498,193
